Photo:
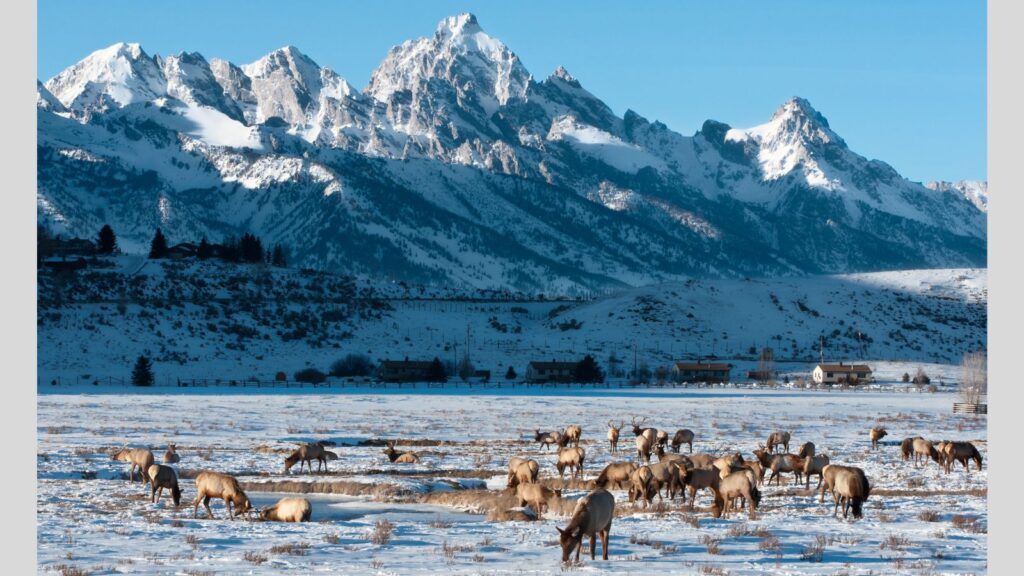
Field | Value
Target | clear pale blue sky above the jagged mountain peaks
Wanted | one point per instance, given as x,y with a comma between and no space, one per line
903,81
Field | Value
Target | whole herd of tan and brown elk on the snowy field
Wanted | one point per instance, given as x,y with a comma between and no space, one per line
733,481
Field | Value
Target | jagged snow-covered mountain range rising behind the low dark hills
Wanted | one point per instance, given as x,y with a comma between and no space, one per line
456,166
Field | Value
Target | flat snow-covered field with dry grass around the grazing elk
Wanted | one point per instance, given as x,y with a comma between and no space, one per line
917,520
